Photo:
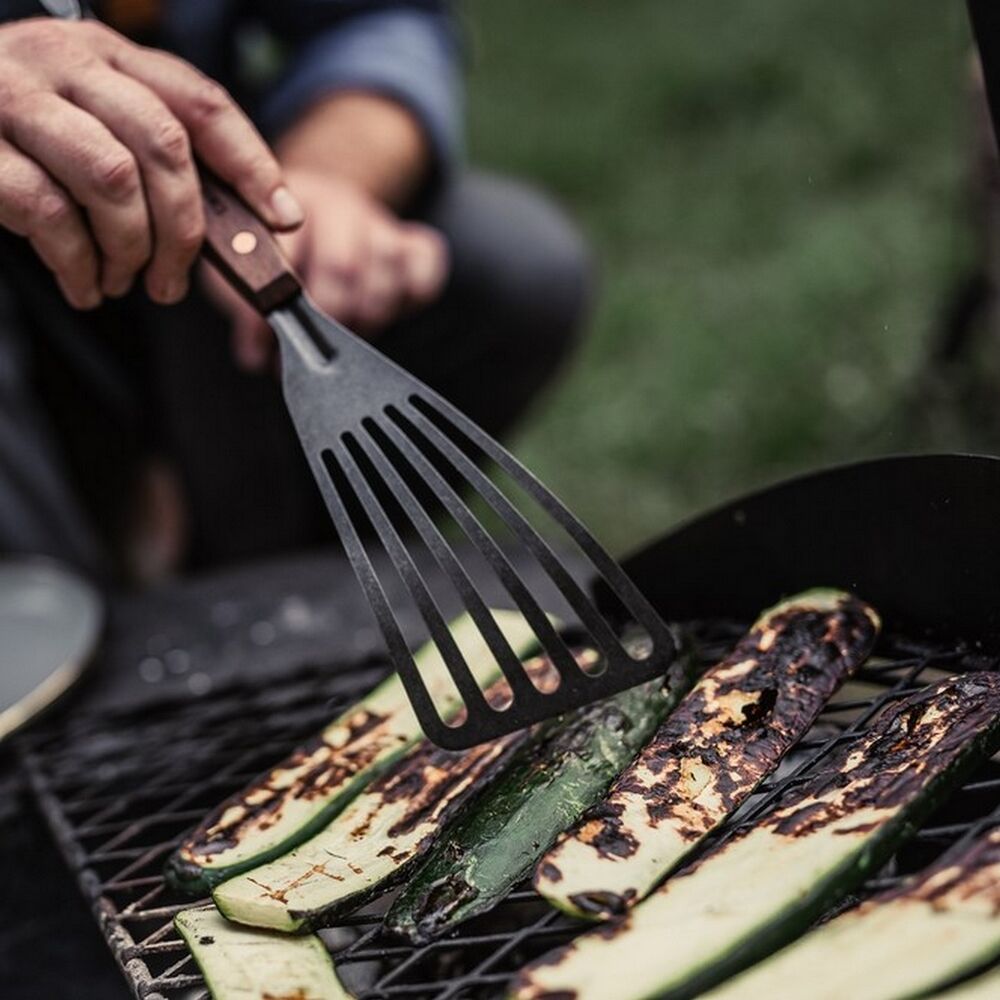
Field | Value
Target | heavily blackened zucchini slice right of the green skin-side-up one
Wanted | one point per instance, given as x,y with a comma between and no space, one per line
710,754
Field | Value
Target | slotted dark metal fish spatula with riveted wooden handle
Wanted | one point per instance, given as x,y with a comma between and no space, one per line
395,462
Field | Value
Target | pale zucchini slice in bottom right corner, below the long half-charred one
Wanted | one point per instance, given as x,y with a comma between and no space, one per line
903,943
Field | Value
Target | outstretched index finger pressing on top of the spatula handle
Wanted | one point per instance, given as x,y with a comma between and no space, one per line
220,133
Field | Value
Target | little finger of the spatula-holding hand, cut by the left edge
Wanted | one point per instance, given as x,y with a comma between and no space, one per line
33,205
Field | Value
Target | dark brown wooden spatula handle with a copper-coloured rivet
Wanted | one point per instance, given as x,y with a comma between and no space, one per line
244,249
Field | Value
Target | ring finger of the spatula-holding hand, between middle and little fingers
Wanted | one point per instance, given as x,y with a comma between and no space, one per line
98,171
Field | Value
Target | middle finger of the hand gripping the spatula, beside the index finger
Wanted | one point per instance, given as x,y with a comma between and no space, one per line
159,142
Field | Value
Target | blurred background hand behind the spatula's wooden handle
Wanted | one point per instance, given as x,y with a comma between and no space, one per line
358,261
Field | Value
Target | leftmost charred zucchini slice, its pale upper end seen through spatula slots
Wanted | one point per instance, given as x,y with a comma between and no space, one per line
299,796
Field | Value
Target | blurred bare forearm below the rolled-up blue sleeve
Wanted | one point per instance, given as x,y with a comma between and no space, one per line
362,137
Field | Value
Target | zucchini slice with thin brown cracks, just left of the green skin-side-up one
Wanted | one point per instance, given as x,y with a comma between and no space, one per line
374,841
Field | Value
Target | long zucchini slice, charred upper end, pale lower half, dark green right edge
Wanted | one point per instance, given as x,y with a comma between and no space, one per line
766,884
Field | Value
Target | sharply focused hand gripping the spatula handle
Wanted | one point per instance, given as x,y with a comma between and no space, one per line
96,168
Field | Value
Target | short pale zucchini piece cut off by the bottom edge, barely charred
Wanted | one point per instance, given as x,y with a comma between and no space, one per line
243,964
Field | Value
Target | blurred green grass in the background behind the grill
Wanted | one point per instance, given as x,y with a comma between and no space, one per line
776,195
